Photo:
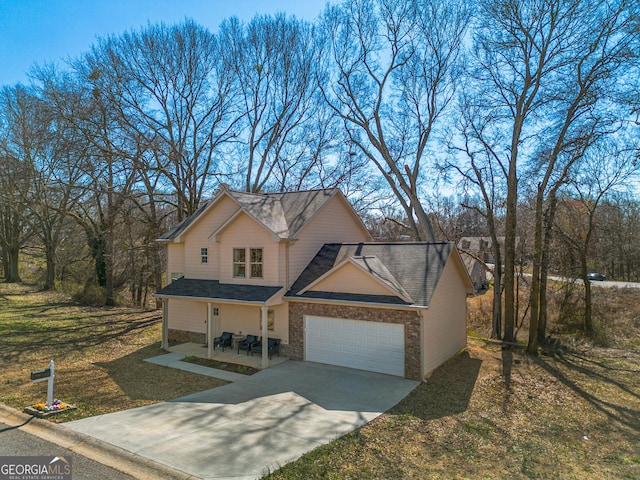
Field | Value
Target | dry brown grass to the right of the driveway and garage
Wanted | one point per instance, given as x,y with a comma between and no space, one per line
497,414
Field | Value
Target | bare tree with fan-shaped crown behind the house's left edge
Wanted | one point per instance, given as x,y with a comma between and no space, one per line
171,89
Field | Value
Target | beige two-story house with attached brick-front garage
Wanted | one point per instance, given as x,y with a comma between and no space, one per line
301,267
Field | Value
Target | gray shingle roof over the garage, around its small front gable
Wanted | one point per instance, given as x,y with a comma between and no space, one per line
417,267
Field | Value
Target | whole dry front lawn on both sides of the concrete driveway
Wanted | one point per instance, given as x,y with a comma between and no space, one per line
487,413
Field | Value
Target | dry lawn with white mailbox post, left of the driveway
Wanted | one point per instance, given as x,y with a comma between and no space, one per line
98,353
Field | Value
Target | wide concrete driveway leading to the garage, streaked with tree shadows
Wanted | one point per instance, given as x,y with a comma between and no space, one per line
247,428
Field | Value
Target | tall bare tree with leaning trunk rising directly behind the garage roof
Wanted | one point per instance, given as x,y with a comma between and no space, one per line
394,68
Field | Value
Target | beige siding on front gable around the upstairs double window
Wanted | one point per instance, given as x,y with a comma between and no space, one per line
245,232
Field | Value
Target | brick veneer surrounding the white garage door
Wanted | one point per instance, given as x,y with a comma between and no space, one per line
409,318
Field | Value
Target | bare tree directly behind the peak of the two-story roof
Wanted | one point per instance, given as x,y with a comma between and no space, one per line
279,143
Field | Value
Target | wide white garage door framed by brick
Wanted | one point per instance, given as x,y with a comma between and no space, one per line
373,346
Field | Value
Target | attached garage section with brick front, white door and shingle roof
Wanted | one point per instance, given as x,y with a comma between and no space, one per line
393,308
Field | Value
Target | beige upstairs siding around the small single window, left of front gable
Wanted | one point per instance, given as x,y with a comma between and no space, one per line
198,235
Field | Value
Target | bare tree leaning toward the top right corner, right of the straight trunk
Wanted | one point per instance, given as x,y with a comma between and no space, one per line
585,111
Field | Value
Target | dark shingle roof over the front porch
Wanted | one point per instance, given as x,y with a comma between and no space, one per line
213,289
